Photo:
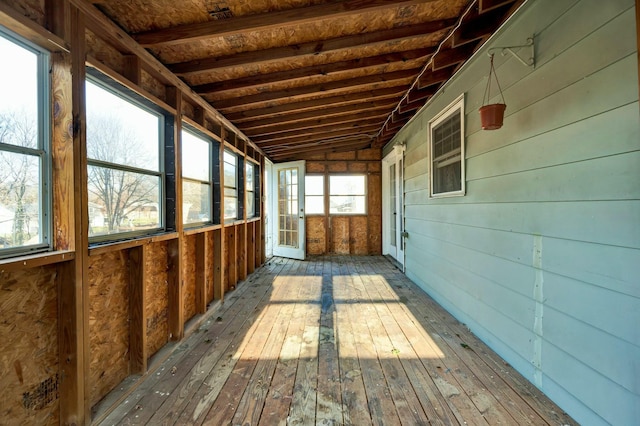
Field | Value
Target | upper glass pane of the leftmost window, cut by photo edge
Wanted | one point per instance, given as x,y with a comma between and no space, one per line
19,95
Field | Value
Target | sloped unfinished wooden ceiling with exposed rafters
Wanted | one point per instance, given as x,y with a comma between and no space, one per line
303,76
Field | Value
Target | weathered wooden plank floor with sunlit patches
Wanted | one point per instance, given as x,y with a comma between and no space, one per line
333,340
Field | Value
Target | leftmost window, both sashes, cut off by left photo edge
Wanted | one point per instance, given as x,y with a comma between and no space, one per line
24,146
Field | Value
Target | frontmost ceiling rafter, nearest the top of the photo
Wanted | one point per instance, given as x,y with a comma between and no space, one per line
265,21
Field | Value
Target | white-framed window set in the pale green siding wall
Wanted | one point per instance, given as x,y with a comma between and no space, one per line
447,151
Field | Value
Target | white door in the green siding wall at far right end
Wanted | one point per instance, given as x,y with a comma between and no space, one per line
393,203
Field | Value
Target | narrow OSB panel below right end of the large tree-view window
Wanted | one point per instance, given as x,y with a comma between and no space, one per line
156,296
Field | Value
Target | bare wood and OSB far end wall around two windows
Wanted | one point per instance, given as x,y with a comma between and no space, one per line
347,234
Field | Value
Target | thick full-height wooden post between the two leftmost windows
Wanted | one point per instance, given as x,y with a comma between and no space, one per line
73,281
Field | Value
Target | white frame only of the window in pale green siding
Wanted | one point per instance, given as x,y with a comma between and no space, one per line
455,107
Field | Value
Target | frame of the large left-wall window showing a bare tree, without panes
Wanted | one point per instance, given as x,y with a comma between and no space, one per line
165,119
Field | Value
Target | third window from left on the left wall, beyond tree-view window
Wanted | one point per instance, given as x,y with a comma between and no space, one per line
196,179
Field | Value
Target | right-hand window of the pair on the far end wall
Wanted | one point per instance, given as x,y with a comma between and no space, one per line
347,194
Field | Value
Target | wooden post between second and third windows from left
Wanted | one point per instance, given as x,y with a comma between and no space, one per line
175,247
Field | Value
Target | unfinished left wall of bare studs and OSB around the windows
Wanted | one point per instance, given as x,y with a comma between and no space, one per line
78,321
